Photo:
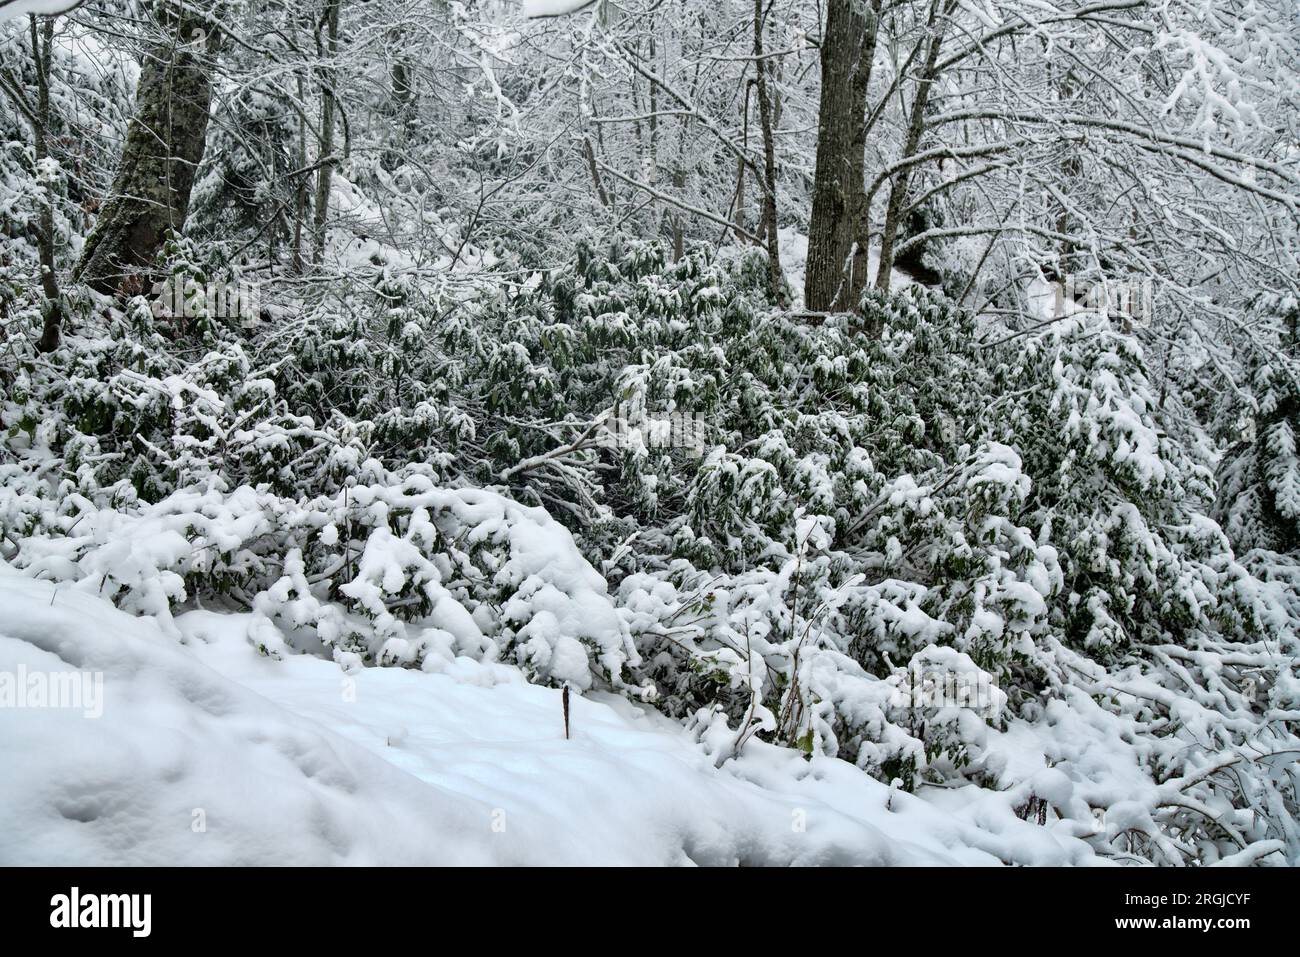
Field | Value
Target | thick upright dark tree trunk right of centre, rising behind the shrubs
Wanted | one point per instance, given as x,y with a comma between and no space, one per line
837,269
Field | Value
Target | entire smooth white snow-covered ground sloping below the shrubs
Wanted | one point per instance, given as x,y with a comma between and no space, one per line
207,752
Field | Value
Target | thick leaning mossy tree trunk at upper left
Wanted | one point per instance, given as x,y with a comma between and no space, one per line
164,144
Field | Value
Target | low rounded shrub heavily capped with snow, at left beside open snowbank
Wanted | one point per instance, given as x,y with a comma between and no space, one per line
418,577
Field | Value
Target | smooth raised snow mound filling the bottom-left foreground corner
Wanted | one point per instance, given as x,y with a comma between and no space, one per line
185,767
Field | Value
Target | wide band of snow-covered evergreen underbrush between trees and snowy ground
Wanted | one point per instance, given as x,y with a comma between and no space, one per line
635,477
